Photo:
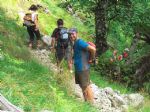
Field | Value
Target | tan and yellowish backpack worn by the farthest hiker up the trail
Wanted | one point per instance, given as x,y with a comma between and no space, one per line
28,20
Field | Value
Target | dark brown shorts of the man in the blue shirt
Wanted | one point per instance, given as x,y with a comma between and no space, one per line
82,78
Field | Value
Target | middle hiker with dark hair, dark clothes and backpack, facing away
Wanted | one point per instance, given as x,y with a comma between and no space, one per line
62,44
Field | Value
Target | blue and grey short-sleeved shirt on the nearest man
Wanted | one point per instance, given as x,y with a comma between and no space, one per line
81,55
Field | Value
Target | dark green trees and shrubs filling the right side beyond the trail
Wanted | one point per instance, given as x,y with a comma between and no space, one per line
121,24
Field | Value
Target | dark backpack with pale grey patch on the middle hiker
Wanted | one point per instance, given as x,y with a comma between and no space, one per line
63,37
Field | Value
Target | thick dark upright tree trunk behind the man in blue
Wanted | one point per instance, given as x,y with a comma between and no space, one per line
100,27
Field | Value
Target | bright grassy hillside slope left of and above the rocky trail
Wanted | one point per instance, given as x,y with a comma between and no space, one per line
23,81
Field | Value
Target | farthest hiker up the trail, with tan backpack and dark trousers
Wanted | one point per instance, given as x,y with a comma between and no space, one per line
31,22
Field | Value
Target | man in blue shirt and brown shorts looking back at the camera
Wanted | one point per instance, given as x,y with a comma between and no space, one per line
81,63
